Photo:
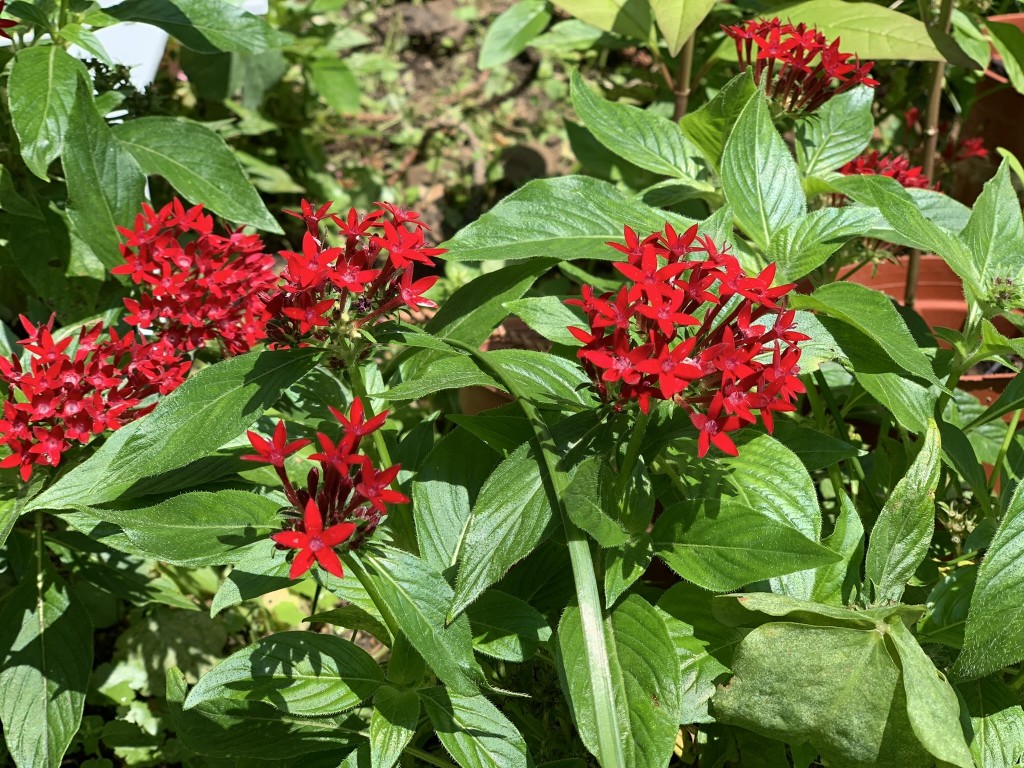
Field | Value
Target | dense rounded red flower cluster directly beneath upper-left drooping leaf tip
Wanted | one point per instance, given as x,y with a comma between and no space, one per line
197,286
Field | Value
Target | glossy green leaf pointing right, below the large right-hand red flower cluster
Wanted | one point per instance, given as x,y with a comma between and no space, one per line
723,545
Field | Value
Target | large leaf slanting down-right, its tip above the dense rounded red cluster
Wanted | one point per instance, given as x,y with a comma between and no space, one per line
197,163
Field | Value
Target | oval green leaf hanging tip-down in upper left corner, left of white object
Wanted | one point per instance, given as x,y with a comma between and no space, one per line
41,93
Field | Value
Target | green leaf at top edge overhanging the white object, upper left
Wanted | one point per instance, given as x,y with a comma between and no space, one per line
204,26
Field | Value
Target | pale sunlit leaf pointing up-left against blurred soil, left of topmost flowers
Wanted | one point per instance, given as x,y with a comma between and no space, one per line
645,139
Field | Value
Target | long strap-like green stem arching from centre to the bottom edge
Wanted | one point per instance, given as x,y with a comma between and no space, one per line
610,748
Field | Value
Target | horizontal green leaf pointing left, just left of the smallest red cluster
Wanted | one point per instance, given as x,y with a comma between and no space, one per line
198,529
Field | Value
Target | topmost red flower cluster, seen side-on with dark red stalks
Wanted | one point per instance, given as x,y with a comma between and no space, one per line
797,66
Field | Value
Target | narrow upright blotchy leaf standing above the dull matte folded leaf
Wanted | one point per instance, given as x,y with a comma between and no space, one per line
903,534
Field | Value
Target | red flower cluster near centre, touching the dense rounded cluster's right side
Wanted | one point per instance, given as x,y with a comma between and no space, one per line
343,287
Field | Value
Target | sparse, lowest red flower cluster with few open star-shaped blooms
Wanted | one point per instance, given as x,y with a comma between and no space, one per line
347,495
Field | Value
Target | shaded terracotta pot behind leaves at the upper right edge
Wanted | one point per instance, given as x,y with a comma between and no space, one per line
996,117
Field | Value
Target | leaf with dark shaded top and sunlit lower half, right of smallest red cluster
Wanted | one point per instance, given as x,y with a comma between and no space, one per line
445,491
